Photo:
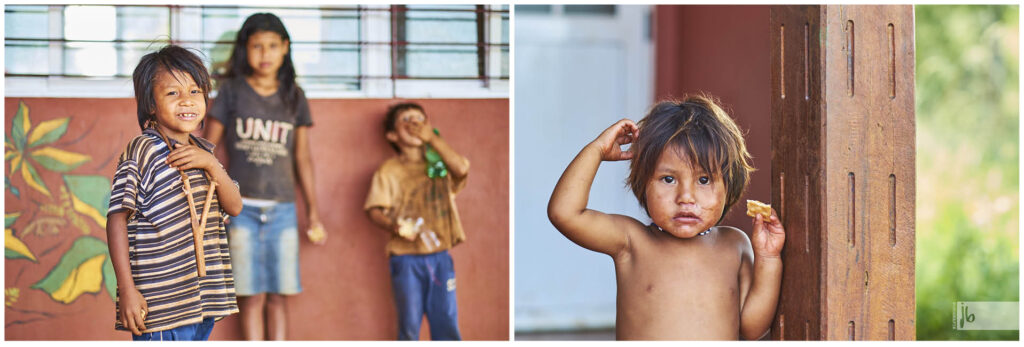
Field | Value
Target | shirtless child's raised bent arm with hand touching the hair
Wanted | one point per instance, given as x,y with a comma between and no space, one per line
568,209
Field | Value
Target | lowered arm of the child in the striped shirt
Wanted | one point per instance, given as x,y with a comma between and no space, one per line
134,307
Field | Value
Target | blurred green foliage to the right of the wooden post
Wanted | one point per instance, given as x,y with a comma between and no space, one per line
968,132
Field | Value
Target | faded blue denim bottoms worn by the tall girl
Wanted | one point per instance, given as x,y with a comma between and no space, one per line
265,244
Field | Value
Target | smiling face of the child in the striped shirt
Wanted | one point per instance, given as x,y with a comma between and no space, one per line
181,104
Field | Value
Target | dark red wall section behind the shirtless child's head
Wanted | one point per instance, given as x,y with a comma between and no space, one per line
721,51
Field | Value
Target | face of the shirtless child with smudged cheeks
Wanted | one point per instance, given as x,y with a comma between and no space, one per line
684,200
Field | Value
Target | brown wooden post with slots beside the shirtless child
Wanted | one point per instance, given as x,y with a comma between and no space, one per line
843,170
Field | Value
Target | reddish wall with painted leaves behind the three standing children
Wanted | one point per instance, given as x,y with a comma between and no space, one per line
348,292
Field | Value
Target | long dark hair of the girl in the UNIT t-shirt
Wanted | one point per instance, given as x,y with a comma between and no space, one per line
239,63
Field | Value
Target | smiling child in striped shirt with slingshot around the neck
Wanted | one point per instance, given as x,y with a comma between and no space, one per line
169,250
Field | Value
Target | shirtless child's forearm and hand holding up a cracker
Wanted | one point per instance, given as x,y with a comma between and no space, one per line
760,302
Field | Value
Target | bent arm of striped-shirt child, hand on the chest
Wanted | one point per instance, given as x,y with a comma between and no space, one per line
191,157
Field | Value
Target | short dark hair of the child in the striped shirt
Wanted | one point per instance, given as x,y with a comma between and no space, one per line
169,59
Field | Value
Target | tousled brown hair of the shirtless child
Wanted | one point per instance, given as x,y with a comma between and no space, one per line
700,128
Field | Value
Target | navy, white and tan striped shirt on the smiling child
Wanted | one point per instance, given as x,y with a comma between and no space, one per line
161,247
